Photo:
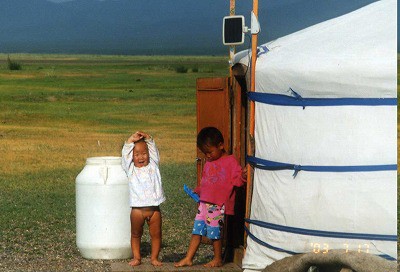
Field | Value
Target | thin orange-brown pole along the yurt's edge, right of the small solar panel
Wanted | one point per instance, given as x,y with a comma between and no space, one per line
250,141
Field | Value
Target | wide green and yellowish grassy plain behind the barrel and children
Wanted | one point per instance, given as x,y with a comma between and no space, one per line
61,109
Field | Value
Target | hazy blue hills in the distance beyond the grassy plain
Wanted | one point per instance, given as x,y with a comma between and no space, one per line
147,26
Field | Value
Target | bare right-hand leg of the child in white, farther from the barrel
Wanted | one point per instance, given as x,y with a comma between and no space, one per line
155,223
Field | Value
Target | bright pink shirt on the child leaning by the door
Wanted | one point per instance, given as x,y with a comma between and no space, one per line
217,182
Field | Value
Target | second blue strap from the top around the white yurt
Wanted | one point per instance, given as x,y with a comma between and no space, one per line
272,165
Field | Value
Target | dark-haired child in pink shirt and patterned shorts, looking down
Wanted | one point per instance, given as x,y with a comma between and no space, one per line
221,173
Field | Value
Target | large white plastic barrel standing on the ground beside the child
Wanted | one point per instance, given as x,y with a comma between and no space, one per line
102,210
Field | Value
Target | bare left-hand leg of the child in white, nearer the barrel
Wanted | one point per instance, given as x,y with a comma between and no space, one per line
137,222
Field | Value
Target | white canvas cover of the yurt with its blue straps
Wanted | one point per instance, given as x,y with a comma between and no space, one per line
325,139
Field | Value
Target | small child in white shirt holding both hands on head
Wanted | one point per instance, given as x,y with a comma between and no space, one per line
140,161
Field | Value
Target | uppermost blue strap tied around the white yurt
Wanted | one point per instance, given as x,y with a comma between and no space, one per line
297,100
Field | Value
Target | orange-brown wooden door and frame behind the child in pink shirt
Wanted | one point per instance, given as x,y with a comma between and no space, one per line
223,104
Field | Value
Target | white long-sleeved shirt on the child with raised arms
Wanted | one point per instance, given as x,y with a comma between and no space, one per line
145,187
